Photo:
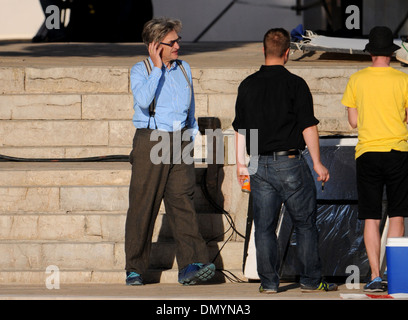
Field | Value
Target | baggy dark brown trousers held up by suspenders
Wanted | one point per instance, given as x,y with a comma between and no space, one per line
151,183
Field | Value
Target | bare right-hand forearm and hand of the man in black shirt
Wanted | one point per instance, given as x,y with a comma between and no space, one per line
311,136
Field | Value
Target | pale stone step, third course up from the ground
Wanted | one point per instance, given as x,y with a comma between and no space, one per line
96,227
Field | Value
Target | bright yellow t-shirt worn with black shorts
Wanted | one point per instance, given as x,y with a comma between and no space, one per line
380,95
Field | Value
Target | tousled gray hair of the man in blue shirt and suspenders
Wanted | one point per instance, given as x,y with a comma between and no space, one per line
156,29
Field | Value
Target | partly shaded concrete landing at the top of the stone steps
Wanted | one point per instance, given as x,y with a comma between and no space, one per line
199,55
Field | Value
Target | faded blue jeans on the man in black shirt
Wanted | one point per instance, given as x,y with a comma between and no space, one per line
288,181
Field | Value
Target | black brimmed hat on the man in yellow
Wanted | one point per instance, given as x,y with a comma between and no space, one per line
381,42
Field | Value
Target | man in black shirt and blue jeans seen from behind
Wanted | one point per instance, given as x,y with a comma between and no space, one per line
279,106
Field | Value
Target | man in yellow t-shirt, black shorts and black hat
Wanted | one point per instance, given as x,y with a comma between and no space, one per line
377,100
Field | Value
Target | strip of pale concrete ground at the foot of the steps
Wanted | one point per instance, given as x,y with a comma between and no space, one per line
165,291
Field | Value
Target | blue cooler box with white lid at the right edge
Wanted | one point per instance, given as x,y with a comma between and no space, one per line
397,265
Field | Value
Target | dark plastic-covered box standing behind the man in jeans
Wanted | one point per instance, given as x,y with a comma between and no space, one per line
341,242
